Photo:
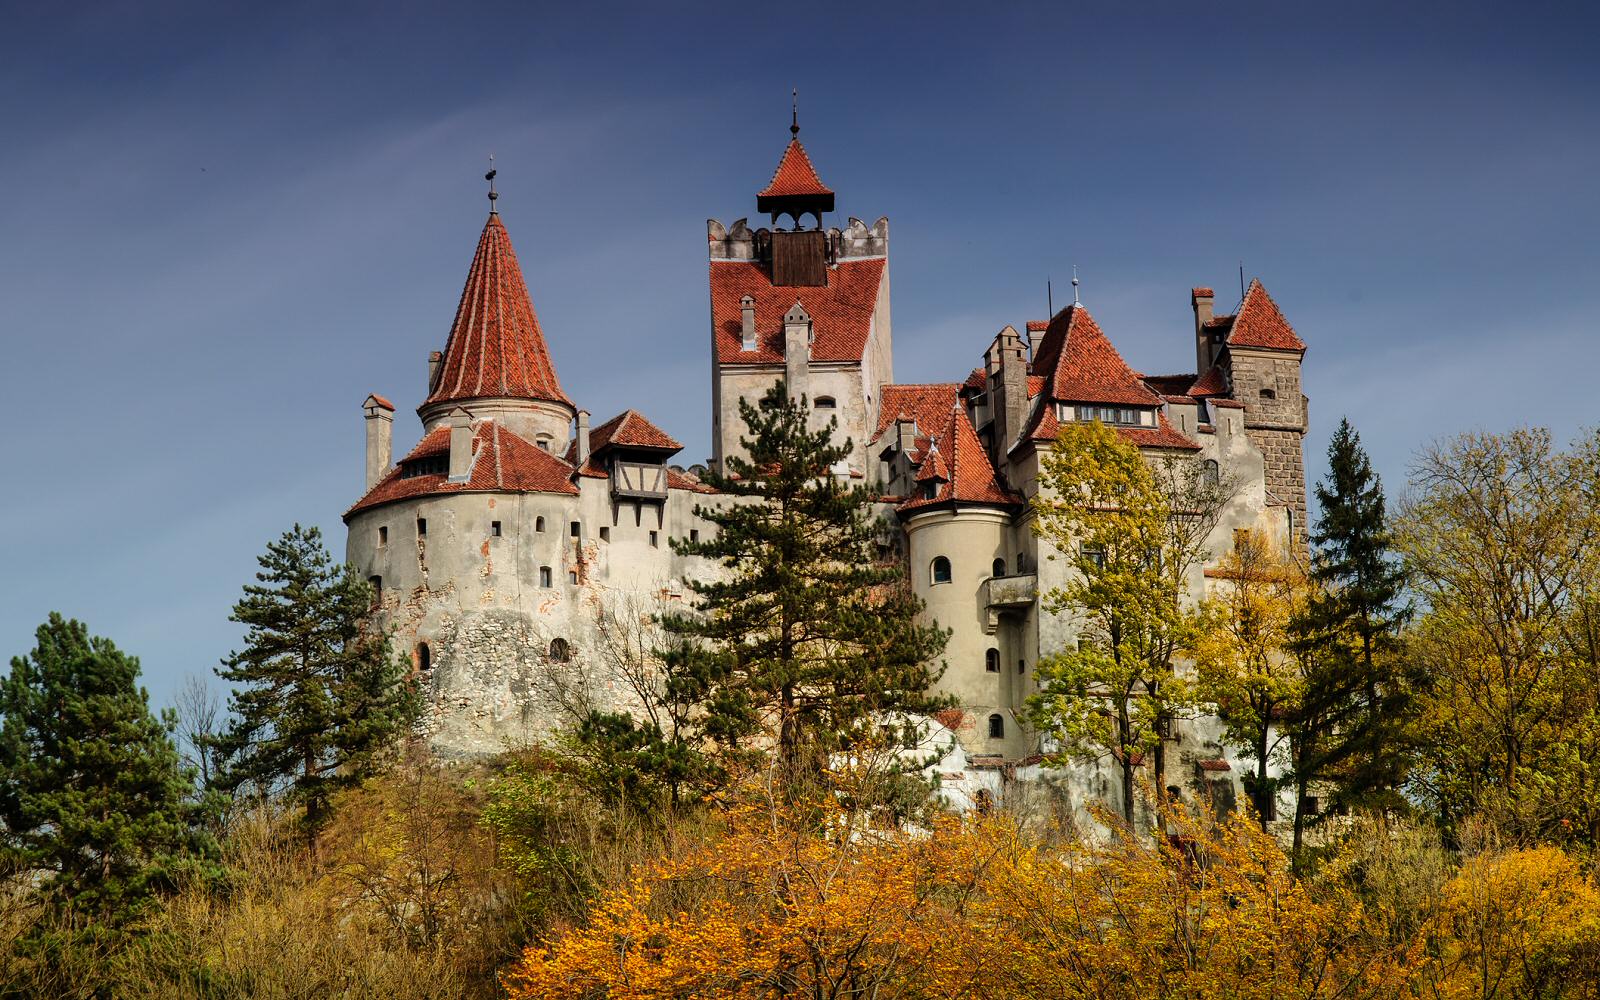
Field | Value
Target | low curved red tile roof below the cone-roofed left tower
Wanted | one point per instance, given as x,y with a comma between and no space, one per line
502,463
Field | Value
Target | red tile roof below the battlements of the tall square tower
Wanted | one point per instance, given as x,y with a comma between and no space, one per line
841,311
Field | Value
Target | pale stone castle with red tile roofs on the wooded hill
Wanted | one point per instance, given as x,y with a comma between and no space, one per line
519,537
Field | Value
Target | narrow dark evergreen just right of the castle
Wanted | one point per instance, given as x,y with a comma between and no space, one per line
1350,638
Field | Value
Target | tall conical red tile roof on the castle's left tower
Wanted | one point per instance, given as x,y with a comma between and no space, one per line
495,346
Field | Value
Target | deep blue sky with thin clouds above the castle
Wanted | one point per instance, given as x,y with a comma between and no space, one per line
220,230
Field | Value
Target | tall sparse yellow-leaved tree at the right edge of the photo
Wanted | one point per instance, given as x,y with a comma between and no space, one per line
1503,538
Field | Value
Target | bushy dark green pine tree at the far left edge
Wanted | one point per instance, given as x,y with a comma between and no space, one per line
92,788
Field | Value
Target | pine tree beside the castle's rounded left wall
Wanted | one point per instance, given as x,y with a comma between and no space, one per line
318,692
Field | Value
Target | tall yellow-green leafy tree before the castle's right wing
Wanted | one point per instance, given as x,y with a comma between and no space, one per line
1130,529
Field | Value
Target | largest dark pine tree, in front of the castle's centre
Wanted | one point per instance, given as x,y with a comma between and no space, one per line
812,641
